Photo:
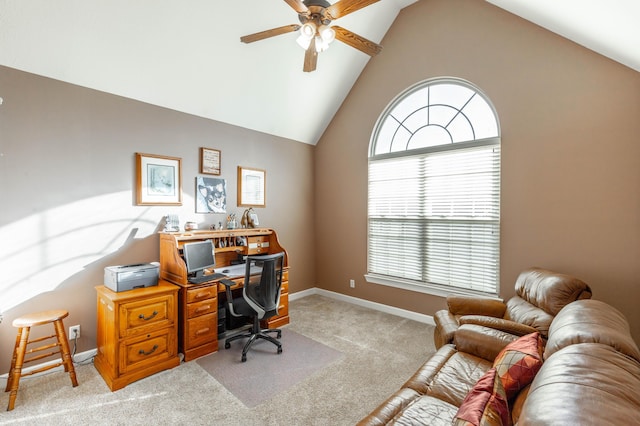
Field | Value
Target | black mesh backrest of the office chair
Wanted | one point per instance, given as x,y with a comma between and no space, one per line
264,295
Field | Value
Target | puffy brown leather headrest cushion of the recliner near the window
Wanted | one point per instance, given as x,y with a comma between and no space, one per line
550,291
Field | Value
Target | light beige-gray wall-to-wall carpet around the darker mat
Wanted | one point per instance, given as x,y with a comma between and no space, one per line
381,352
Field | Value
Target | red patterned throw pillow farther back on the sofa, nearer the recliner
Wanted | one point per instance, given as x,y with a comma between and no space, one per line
518,363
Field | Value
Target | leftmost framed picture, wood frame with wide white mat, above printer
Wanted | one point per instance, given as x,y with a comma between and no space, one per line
158,180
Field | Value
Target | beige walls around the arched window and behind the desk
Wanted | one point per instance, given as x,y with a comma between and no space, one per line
570,171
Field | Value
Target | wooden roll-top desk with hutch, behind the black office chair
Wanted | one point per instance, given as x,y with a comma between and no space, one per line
198,303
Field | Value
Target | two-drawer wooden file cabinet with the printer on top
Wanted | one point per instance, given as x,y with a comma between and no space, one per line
137,332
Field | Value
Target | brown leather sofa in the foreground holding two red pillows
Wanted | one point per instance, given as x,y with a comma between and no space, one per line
590,374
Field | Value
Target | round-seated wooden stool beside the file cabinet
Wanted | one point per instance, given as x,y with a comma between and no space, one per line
61,346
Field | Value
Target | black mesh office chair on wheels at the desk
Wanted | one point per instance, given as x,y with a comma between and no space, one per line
260,299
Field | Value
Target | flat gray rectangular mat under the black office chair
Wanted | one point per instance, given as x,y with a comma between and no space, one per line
267,373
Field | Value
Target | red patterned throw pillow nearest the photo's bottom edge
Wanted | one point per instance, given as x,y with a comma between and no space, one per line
485,404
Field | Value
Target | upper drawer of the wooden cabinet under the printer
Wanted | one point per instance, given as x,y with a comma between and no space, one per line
144,316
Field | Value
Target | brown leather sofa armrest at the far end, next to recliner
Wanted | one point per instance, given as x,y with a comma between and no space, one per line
481,341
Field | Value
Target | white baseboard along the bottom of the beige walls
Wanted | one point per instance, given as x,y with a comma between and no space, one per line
427,319
